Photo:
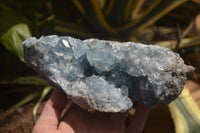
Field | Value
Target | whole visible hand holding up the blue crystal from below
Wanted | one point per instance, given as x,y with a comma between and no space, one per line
77,120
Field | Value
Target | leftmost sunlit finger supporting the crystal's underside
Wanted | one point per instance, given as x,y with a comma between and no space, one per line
52,110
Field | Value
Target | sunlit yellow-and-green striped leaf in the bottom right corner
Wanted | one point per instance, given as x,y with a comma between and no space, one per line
185,113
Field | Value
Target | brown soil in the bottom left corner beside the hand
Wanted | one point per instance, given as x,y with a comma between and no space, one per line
19,120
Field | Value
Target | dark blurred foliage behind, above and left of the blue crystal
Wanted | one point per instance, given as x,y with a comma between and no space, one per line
166,23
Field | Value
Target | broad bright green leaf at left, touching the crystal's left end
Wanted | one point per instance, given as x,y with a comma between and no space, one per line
13,32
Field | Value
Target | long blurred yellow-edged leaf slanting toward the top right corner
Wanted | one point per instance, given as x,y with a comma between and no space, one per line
158,9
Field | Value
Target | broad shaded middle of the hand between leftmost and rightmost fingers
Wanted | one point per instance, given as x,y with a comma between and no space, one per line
79,120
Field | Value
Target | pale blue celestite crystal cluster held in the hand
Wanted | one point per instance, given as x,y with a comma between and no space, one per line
106,75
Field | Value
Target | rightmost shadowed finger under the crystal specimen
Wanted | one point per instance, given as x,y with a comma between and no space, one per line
137,124
